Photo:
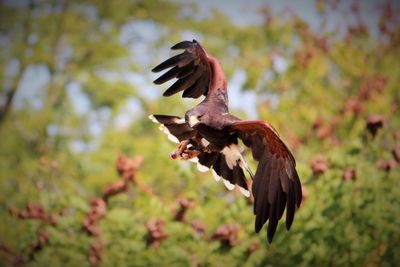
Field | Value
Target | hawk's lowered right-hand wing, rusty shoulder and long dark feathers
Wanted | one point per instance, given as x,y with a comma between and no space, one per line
276,184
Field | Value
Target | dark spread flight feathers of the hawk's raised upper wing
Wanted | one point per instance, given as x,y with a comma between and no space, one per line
191,68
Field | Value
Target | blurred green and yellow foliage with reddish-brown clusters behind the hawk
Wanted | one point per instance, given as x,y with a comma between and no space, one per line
86,178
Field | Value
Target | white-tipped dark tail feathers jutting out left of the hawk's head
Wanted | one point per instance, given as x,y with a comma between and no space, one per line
174,127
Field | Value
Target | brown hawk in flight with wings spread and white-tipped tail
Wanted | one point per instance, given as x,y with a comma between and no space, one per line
209,135
